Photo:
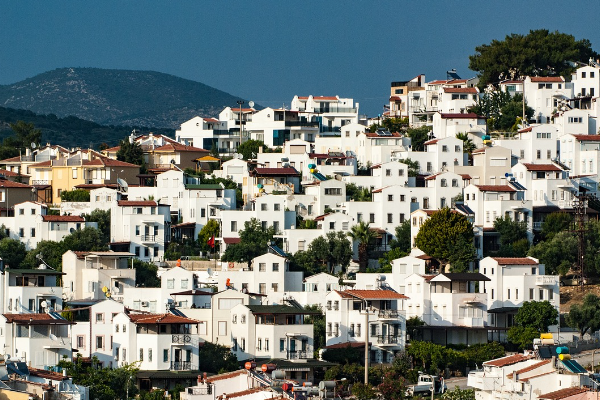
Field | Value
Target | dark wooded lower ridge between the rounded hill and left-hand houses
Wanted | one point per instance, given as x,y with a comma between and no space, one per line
70,131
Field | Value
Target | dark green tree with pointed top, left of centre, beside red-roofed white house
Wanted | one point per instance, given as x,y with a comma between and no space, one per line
254,242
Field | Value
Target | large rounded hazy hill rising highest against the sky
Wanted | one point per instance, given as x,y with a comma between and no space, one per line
116,97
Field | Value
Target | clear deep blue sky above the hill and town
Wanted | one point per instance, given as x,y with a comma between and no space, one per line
268,51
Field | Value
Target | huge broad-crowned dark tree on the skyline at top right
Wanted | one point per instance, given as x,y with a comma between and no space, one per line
539,53
